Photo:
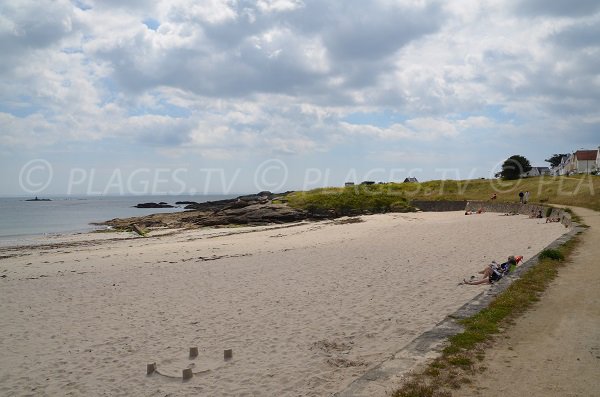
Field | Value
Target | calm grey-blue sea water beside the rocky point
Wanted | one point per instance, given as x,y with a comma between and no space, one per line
20,218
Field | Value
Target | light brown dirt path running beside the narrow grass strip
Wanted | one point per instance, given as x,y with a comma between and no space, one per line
553,350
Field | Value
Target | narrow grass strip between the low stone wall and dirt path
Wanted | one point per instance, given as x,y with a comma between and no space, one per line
463,356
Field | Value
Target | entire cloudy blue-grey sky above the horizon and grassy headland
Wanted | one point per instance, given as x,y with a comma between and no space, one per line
233,96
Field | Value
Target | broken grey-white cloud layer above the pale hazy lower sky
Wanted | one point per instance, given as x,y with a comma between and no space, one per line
226,77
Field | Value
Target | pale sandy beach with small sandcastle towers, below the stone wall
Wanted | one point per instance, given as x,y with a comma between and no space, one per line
306,309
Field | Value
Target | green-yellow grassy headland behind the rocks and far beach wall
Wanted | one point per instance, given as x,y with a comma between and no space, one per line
578,190
